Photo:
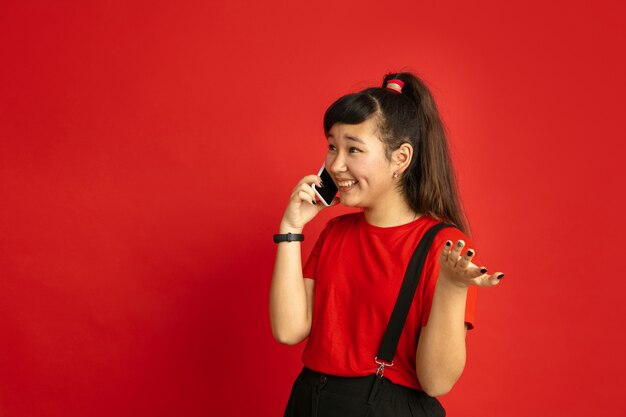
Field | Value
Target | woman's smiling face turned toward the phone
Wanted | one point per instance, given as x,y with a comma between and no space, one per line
357,162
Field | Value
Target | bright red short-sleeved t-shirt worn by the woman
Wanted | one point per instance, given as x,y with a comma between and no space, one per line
358,270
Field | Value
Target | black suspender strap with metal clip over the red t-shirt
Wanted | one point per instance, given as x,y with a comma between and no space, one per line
400,312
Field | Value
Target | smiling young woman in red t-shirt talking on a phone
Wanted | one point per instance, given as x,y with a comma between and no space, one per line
388,156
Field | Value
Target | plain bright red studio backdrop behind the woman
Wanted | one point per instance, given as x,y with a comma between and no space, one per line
147,150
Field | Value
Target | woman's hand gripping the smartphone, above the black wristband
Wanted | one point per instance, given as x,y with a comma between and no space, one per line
302,207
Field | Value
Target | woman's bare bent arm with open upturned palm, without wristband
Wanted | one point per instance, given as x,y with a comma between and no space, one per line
440,356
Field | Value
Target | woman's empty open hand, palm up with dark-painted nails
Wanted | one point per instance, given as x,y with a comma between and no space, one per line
456,266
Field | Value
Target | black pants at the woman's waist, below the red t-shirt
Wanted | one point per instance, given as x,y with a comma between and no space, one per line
319,395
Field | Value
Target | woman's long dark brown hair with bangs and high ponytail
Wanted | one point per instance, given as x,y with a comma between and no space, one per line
429,184
